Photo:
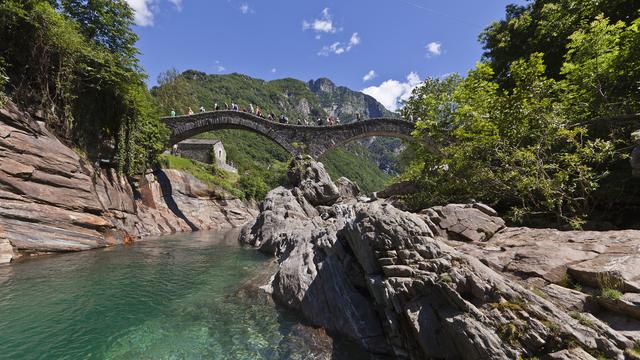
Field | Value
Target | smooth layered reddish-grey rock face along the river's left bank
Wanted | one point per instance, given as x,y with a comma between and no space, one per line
51,200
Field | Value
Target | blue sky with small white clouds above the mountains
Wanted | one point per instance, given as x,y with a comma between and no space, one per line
384,47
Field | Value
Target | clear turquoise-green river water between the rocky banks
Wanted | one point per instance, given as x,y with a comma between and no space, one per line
174,297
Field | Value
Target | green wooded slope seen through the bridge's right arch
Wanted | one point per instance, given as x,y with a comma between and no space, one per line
360,168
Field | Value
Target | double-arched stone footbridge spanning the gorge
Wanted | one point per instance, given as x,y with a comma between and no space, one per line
316,140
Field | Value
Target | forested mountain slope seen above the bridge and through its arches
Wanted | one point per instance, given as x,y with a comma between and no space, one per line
297,100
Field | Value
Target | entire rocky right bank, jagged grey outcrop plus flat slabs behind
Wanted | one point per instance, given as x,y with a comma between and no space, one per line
451,282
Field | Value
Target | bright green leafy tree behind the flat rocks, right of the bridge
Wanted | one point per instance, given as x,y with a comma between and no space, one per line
511,148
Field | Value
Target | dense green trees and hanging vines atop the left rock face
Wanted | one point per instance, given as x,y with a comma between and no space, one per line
75,64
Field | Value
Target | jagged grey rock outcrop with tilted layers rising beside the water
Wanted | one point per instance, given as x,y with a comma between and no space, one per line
395,283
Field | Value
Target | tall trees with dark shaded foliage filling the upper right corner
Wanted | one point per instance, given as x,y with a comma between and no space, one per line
592,48
